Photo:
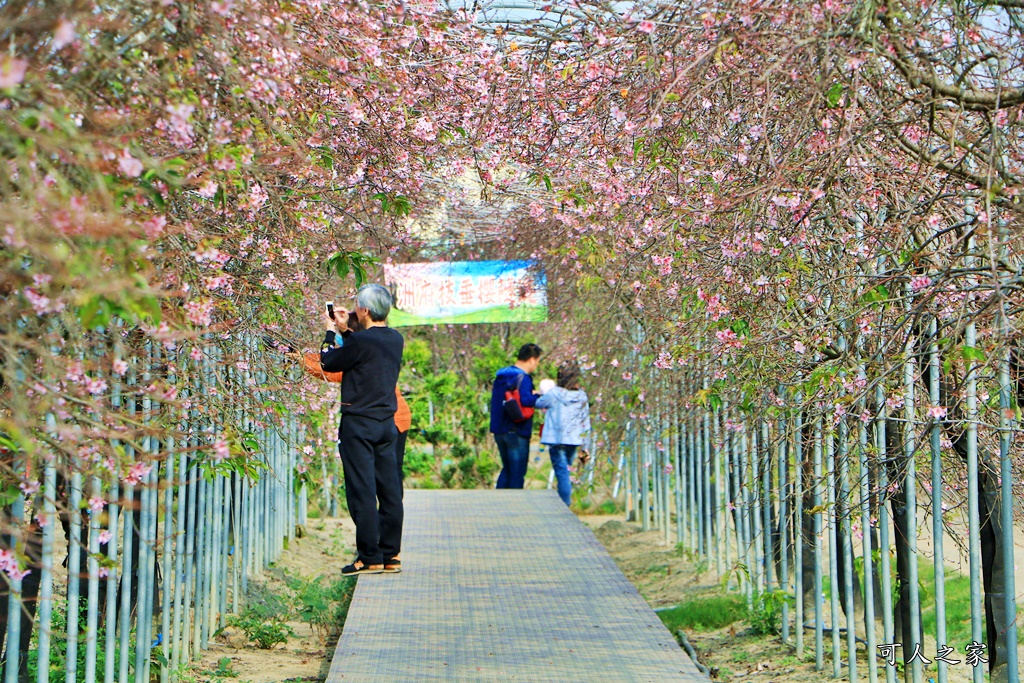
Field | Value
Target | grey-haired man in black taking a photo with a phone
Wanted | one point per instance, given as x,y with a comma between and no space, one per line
370,361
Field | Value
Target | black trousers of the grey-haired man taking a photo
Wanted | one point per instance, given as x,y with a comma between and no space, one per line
367,449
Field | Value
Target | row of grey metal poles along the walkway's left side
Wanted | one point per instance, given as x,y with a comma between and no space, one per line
158,559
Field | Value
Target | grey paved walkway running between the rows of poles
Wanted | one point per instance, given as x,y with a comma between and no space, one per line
503,586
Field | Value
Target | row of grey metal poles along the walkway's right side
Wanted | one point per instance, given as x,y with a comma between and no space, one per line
775,502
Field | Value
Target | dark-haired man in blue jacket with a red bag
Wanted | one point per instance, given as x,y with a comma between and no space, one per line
514,438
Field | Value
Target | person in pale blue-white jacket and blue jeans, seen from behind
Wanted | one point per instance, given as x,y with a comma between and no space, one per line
567,425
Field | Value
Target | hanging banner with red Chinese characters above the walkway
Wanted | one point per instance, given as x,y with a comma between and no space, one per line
466,292
